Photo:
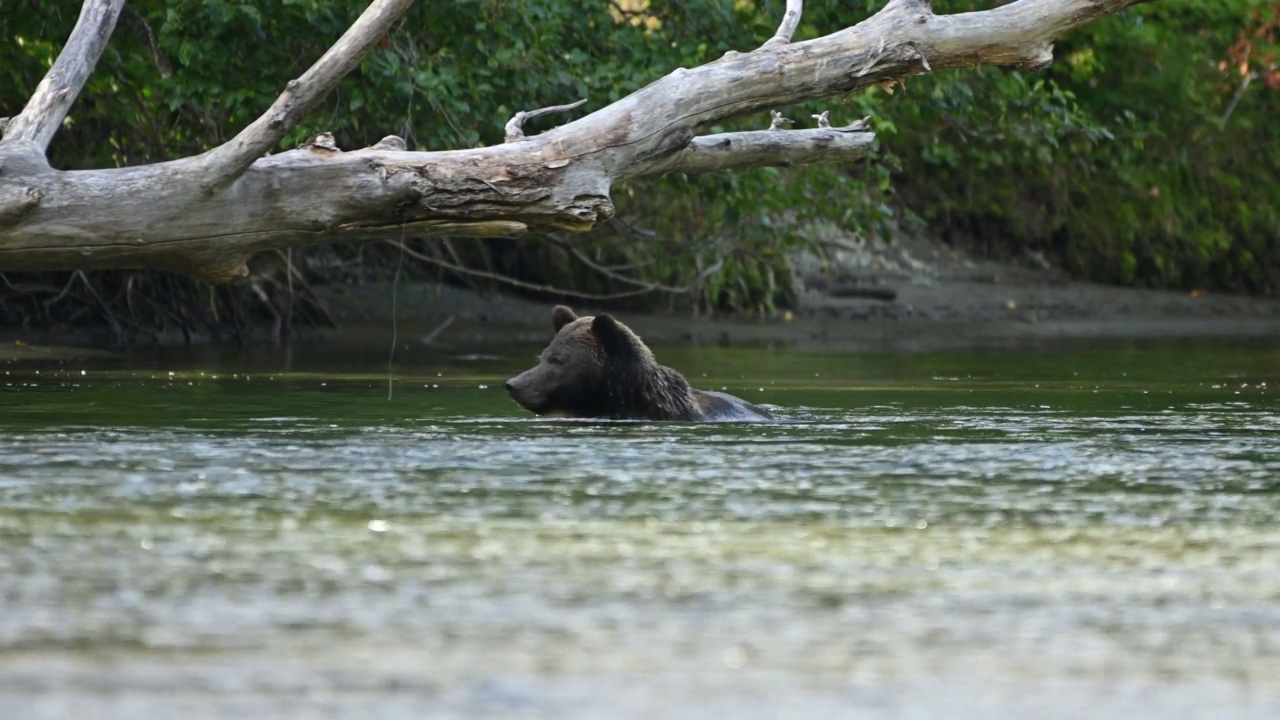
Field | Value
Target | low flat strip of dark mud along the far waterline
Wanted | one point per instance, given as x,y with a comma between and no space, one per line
944,315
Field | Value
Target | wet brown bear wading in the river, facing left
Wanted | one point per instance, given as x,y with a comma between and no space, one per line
596,367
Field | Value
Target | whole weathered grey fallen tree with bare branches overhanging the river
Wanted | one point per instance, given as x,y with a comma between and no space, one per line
209,215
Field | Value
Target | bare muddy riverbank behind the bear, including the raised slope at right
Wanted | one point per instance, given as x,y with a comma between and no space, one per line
912,295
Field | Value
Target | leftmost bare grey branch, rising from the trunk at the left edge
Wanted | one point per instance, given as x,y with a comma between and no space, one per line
48,107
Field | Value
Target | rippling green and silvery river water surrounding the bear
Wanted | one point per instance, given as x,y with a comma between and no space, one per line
1043,532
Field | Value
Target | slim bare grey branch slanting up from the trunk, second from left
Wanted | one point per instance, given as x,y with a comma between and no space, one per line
227,162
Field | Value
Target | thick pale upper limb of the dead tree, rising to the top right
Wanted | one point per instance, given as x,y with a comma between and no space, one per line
897,43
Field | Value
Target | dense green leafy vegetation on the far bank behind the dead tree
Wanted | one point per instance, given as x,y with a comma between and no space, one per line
1148,154
